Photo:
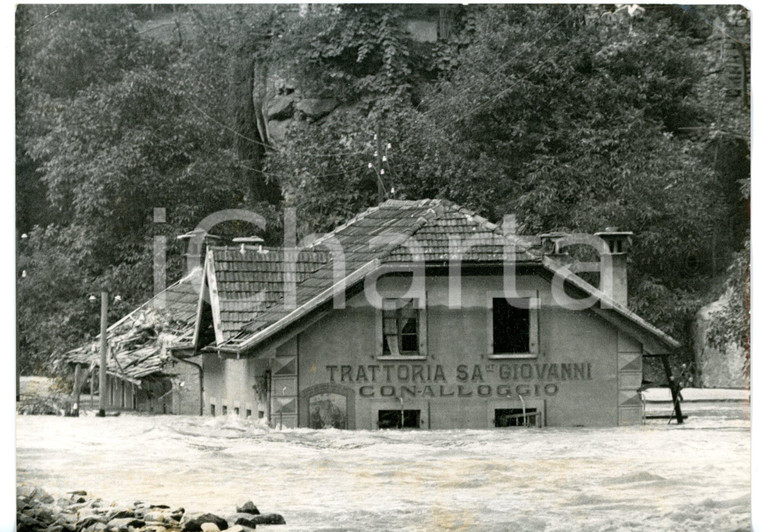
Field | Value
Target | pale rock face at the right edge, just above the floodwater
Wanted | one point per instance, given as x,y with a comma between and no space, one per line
716,368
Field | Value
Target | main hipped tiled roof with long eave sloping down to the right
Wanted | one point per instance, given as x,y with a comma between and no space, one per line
433,228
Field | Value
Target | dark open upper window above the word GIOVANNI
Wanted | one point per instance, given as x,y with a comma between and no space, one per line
513,327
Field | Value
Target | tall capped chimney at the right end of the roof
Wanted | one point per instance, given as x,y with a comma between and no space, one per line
613,267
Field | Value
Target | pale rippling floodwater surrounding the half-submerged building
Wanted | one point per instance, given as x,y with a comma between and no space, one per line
653,477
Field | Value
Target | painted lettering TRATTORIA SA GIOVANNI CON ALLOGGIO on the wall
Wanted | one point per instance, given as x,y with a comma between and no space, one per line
507,380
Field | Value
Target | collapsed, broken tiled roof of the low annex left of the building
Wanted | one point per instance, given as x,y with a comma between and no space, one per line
138,340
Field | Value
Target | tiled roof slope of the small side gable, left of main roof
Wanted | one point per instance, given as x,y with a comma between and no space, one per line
248,283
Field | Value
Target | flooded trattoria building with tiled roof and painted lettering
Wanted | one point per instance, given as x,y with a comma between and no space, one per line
422,314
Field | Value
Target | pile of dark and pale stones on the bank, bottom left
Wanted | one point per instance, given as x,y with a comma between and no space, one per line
37,510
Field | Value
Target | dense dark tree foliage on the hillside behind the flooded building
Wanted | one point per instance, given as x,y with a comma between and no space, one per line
573,117
